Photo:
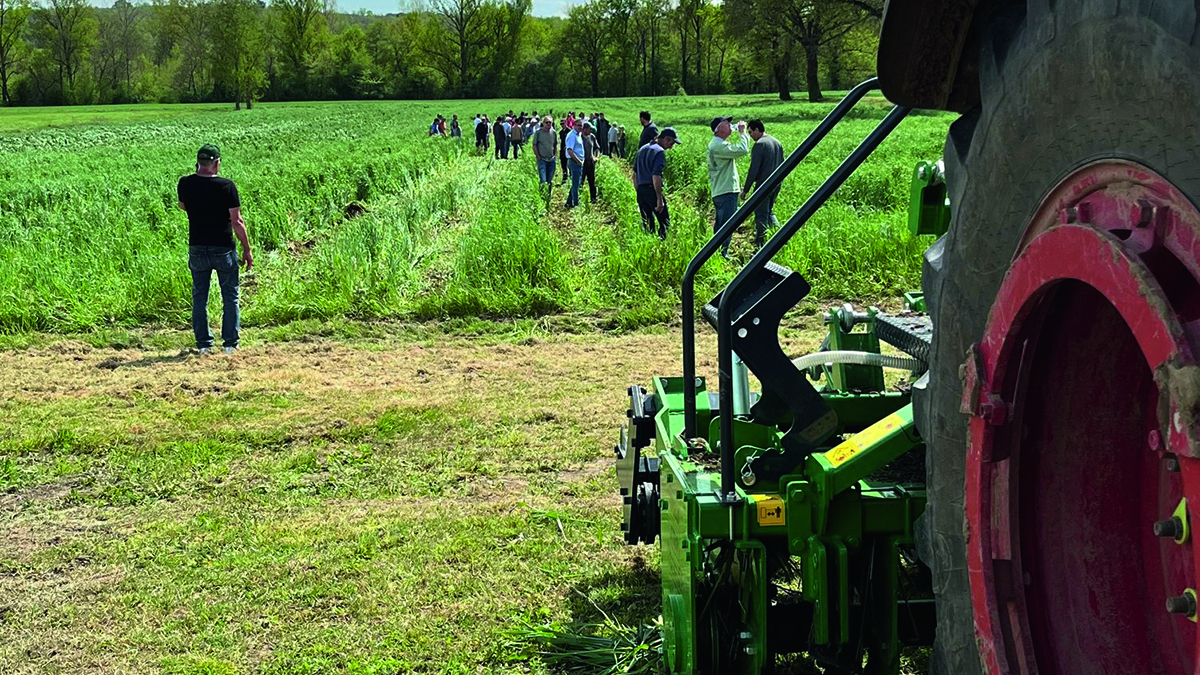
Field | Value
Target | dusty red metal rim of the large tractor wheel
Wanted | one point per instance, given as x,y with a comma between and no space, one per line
1084,395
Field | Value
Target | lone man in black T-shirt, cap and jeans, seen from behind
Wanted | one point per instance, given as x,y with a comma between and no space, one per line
214,218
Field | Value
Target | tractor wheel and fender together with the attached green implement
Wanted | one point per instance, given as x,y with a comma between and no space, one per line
1024,505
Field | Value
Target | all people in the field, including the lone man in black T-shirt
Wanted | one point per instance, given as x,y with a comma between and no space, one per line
214,208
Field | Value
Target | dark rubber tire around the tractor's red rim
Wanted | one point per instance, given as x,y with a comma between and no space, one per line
1063,83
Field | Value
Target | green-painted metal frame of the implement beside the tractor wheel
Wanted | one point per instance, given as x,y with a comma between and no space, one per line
827,518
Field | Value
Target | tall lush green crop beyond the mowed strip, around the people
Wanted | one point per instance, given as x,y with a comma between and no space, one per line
91,238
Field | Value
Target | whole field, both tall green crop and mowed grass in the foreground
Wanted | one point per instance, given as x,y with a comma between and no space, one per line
409,463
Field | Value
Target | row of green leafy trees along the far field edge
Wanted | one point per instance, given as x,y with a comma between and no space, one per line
67,52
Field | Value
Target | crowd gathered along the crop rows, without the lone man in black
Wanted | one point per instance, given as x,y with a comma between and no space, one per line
577,140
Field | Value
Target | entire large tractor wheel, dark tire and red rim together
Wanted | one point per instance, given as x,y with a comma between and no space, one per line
1070,274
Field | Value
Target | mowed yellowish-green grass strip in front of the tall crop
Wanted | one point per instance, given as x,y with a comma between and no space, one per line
376,506
